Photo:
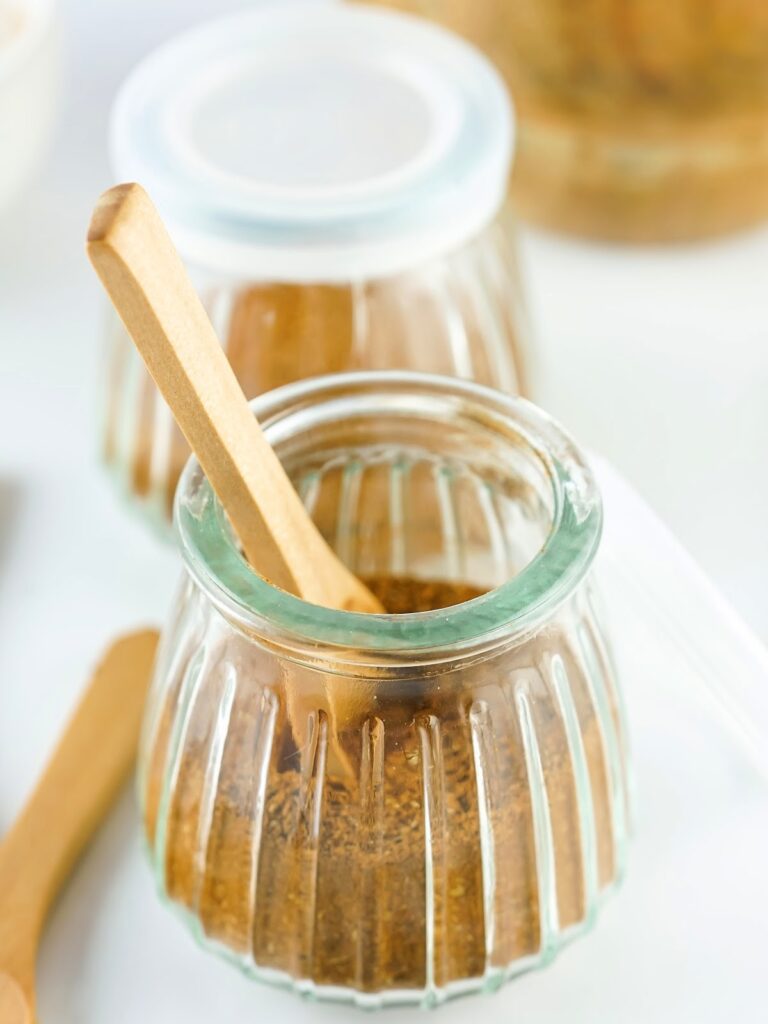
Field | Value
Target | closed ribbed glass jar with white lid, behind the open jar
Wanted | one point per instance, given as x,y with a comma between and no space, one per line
335,215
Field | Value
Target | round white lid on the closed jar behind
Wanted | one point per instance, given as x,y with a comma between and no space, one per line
336,143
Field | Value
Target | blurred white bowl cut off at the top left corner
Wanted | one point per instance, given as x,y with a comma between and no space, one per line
29,77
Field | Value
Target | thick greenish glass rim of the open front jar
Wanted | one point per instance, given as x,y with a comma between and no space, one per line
510,611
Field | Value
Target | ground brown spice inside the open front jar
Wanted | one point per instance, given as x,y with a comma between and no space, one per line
375,881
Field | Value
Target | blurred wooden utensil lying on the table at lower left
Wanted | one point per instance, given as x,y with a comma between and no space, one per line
90,765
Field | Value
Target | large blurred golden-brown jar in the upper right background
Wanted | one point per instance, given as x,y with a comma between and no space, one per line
639,120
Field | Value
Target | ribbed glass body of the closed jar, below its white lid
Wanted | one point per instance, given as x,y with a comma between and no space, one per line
461,314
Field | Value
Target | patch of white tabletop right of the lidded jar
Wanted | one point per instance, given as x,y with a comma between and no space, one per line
658,358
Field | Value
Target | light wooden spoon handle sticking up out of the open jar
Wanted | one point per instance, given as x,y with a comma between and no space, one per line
149,286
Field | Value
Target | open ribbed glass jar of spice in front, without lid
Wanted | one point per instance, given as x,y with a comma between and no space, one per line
397,808
